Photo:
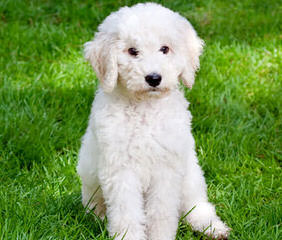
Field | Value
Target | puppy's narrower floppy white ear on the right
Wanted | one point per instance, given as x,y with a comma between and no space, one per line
192,48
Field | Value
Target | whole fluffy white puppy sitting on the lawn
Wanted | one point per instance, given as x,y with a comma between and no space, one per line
137,161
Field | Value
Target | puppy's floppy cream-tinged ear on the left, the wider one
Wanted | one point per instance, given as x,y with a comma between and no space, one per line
101,53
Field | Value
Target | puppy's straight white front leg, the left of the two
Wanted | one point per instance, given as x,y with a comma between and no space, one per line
125,206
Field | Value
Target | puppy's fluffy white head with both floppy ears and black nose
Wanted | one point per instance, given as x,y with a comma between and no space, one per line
145,49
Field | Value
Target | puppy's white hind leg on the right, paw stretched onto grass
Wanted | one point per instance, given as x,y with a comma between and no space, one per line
202,215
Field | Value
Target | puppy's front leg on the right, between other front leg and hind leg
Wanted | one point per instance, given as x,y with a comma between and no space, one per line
162,205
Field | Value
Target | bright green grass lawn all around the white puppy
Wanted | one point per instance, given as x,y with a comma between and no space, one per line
46,90
